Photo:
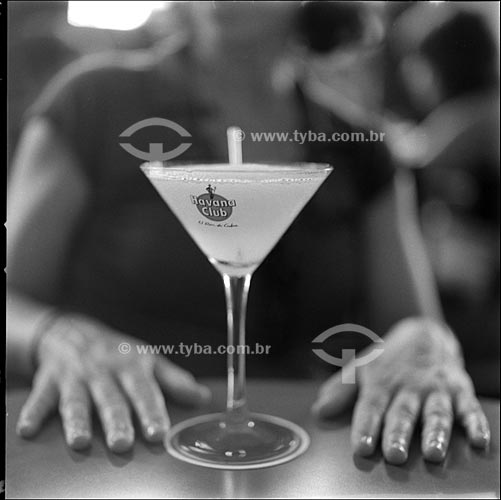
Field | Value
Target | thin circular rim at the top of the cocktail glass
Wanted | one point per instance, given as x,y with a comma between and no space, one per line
302,166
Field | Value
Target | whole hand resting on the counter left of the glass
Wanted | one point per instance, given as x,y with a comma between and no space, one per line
81,362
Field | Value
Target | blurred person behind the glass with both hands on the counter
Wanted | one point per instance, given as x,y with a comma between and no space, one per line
95,257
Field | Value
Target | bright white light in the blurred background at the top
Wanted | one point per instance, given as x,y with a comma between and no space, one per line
111,15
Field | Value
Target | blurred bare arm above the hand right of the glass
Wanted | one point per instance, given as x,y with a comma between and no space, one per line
400,280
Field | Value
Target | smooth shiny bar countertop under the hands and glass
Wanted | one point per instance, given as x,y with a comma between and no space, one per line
45,468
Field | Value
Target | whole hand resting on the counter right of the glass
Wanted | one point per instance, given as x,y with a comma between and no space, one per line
420,375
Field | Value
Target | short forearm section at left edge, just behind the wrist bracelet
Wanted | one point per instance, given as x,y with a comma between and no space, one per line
25,320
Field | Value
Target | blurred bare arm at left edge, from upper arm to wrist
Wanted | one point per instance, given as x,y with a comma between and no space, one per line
47,195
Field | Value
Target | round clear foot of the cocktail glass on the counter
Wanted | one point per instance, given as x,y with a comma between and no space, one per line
260,441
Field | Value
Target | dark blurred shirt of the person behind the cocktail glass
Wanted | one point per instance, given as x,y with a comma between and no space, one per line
133,265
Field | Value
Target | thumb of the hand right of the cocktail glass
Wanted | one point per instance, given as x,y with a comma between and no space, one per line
336,396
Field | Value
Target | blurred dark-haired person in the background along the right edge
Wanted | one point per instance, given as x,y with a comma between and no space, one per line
450,68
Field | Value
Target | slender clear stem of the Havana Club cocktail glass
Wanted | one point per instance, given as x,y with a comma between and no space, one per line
236,290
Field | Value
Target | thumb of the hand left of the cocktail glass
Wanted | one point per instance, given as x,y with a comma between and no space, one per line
180,385
